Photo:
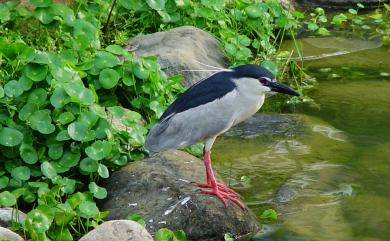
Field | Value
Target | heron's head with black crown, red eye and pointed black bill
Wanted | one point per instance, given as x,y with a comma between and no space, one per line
266,79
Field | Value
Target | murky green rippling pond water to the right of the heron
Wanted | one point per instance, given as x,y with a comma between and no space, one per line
328,176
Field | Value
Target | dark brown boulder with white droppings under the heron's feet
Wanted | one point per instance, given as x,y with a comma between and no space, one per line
162,190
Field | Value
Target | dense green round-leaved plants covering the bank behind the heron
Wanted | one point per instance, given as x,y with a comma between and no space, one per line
62,68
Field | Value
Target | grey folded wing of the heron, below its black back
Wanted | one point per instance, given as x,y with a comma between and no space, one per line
193,125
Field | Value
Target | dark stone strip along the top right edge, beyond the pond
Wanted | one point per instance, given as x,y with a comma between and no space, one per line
340,4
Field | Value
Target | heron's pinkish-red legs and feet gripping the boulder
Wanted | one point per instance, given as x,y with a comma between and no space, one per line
221,191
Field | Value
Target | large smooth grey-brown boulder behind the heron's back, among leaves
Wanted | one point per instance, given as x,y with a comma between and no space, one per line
182,48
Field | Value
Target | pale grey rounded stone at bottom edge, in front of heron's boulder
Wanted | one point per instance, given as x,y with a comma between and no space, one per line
118,230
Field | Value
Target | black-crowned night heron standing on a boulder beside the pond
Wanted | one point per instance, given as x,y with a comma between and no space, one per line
208,109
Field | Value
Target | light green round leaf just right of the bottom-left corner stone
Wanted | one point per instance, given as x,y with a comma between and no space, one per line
37,221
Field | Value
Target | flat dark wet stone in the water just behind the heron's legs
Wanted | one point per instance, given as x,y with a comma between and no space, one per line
268,125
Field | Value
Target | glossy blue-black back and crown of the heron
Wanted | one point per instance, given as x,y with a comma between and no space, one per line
214,87
